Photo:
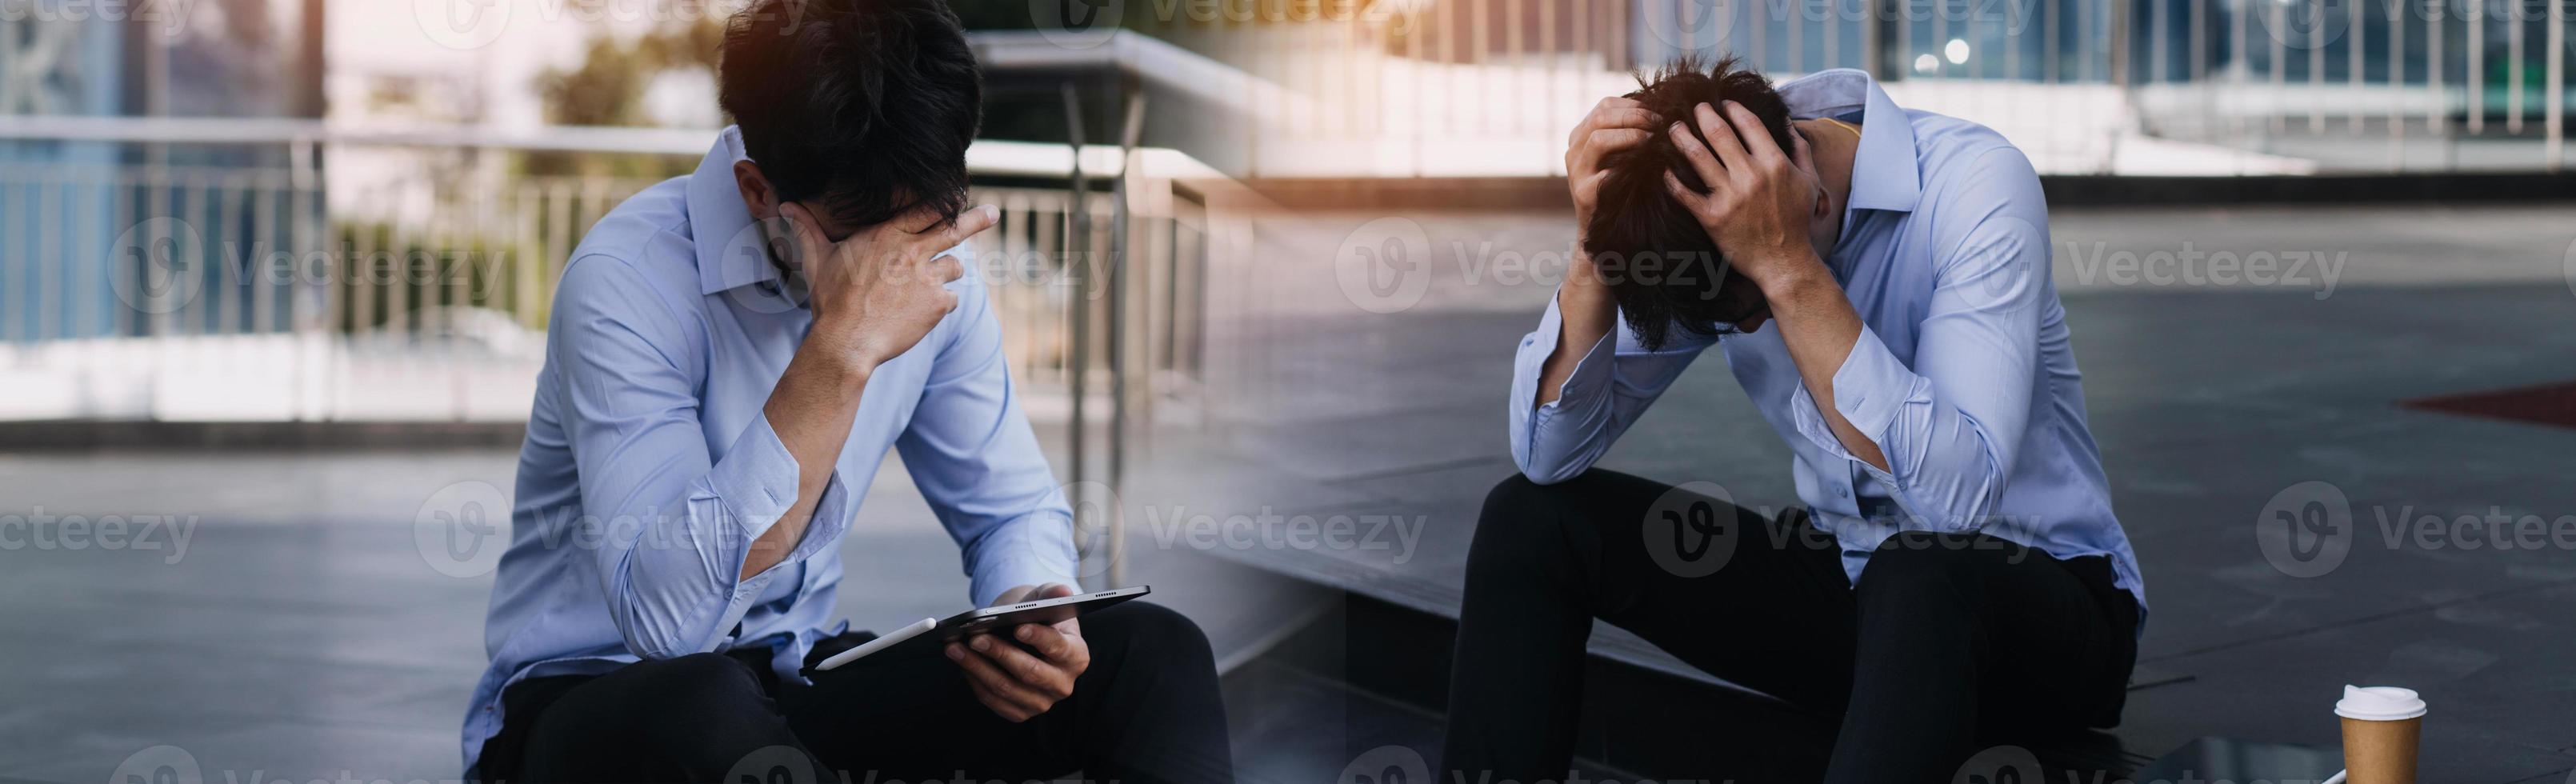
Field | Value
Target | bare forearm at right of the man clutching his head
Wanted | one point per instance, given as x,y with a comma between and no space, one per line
1820,326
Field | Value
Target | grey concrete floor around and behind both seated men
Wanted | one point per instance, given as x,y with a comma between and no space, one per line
305,636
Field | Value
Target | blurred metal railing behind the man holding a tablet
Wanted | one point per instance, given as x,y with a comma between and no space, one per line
431,277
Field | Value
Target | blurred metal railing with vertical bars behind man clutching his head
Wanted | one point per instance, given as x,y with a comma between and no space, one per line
2217,86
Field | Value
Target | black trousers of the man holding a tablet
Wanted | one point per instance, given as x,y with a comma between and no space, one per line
1145,710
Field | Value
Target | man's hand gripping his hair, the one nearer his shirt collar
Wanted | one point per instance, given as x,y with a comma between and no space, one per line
1758,200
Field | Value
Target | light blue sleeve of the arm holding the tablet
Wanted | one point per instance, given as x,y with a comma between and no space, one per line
978,463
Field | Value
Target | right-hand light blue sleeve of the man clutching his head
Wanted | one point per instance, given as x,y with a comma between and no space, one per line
1951,424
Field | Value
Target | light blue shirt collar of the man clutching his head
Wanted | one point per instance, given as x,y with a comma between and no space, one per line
1884,171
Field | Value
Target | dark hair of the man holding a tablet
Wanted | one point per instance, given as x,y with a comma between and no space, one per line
862,104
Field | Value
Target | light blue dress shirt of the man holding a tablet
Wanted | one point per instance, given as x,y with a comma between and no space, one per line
650,465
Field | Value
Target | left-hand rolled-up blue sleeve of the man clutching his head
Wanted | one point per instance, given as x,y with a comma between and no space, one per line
1614,383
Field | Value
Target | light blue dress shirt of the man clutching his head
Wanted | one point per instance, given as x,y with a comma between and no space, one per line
1964,373
